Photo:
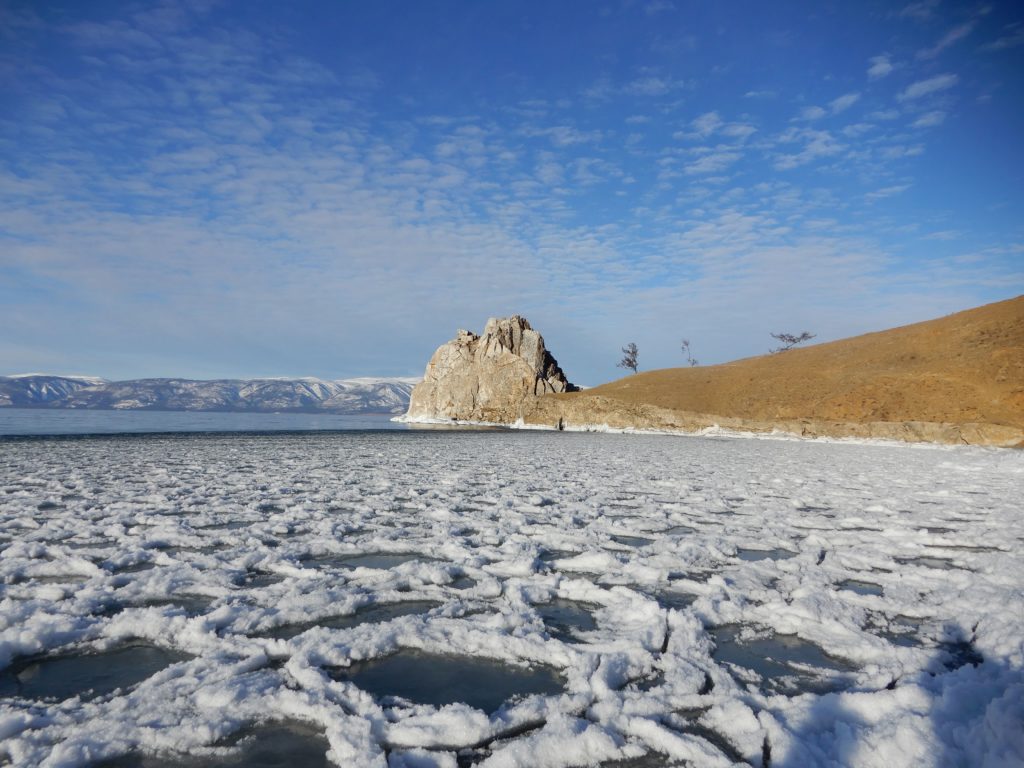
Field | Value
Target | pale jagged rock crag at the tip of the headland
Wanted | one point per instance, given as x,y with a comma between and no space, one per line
489,377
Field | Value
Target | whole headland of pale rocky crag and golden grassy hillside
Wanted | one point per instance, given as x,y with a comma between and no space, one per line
958,380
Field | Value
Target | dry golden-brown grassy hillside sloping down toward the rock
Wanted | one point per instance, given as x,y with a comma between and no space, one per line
966,368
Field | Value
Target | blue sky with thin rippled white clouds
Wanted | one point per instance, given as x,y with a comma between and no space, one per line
235,189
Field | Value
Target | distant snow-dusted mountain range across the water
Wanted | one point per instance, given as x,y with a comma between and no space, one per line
253,396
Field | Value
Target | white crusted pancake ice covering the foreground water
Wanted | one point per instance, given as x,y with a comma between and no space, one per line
99,534
